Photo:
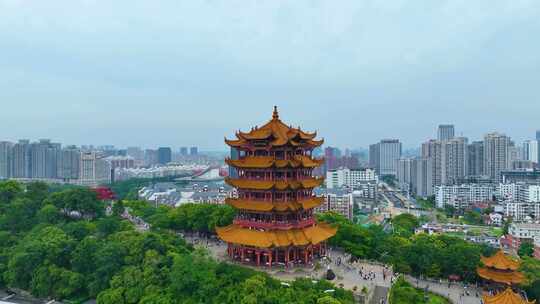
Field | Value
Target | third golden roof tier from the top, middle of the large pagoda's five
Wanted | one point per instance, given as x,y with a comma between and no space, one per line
279,185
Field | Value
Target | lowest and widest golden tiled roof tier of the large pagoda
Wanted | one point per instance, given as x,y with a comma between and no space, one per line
276,238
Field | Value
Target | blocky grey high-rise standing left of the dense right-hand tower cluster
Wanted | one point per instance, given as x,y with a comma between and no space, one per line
383,156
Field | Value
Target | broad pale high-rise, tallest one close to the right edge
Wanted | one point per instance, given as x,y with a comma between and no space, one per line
496,155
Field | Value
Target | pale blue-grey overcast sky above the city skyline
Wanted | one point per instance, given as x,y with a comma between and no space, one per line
180,73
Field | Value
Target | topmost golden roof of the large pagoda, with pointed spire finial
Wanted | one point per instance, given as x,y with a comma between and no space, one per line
279,133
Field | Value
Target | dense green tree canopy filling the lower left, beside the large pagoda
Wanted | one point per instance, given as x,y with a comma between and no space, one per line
62,245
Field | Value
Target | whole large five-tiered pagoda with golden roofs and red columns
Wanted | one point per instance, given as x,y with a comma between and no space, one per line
273,177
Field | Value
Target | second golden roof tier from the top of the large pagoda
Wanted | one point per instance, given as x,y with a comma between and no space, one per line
252,162
